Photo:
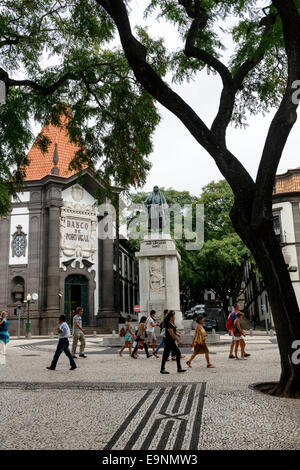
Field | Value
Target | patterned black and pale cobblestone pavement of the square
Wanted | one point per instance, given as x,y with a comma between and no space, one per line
112,402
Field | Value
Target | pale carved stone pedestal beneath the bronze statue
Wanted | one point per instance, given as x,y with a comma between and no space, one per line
158,275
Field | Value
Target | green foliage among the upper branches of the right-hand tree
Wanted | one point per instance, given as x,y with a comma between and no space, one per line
255,31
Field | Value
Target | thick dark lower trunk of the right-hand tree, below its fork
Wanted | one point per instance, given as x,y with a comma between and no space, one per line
285,310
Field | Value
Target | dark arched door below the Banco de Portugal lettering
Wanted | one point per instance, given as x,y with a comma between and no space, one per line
76,295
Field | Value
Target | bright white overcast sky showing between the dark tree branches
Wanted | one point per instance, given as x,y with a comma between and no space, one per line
178,161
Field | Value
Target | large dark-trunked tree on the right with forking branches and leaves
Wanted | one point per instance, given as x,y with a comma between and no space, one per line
264,37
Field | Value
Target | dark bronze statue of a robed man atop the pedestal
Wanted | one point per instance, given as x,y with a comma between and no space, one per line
156,205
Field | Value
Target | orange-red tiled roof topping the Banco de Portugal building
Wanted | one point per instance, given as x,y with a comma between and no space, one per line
41,163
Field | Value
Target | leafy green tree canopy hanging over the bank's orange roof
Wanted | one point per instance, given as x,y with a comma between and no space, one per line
55,64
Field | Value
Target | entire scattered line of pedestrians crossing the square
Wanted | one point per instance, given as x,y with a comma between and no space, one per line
143,338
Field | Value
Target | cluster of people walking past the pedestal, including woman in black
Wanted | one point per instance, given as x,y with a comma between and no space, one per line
170,339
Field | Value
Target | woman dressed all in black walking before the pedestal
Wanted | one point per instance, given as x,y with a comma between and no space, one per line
171,343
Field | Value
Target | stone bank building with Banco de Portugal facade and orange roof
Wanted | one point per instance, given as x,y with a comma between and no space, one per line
52,244
